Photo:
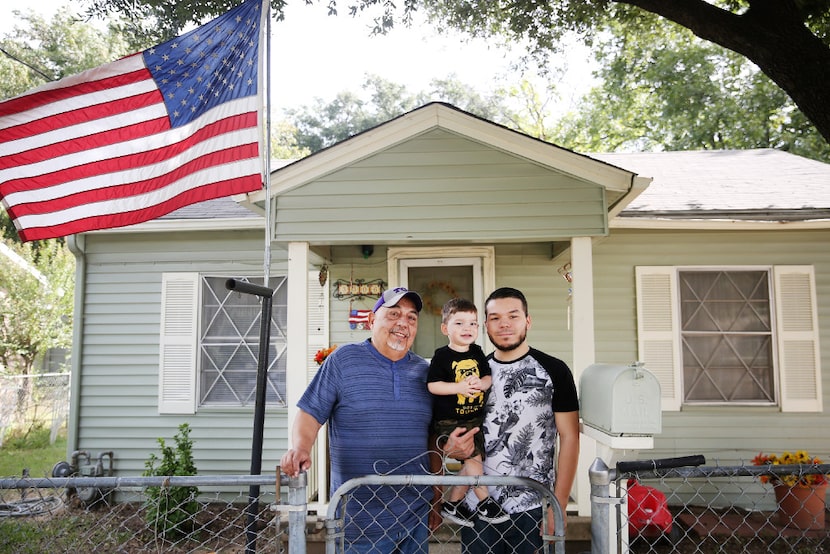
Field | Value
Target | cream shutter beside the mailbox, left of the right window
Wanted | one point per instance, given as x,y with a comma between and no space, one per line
657,333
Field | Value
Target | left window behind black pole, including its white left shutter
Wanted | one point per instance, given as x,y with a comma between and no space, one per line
209,344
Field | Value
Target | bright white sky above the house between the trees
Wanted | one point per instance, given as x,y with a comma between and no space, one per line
316,56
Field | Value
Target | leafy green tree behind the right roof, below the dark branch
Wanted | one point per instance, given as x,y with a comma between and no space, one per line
724,103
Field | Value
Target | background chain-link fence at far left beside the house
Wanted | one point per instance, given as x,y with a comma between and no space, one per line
31,401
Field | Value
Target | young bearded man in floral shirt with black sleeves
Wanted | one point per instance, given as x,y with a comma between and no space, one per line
532,401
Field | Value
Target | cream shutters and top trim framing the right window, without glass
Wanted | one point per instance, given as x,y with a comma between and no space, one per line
796,356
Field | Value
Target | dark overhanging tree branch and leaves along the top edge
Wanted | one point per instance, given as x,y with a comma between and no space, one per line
787,39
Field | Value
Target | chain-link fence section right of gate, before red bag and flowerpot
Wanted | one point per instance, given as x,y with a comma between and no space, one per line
655,507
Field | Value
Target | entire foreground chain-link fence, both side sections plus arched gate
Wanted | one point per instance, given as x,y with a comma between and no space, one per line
633,509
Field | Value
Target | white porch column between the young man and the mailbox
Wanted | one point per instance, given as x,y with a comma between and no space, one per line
584,351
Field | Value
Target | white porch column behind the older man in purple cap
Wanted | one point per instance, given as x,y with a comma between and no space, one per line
297,312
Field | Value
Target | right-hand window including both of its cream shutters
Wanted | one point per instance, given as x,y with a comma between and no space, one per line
731,336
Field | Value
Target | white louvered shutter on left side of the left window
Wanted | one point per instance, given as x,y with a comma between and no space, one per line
178,343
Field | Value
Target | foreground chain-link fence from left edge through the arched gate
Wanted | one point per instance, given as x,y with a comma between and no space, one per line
112,514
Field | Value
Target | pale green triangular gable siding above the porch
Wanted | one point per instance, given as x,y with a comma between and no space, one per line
441,187
